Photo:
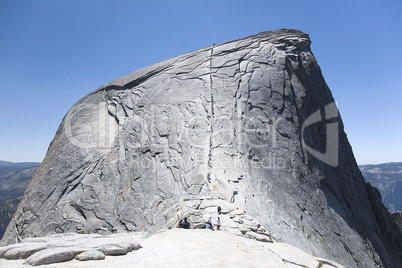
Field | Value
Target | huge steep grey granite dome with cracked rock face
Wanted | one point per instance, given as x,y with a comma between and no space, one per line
248,125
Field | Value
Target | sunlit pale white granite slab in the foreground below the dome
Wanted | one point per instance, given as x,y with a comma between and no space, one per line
185,248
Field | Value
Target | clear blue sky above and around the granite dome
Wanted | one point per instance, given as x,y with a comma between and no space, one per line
54,52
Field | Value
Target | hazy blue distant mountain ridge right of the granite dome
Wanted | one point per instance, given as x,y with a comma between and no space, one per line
387,178
